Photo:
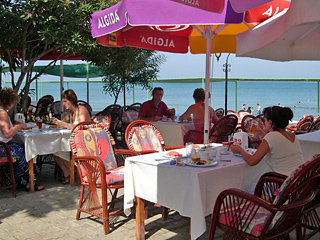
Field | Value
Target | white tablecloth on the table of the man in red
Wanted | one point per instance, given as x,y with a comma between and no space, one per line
173,132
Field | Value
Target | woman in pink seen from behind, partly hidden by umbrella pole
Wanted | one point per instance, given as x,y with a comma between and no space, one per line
197,110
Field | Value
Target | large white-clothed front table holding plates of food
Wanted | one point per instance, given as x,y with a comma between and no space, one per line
191,190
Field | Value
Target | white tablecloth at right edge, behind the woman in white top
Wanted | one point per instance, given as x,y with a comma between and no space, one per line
310,144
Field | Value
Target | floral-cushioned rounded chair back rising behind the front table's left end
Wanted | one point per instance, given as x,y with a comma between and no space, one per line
142,135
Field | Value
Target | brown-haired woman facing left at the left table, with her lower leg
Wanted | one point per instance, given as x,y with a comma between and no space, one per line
76,114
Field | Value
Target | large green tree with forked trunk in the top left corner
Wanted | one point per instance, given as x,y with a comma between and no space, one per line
32,29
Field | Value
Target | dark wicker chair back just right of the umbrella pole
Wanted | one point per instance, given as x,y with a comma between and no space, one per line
223,128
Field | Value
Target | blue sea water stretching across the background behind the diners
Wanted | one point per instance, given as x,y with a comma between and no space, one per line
301,97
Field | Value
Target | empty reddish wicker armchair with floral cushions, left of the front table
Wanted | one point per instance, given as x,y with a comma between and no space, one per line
92,148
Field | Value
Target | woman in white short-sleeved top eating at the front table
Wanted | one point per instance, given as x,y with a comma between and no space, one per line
279,148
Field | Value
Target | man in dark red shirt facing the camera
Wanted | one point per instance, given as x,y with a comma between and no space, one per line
155,109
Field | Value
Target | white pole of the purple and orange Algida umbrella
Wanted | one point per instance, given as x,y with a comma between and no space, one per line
208,36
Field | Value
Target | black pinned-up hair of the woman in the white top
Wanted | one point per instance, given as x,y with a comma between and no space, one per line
280,116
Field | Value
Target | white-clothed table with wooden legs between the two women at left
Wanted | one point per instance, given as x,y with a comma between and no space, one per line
41,142
